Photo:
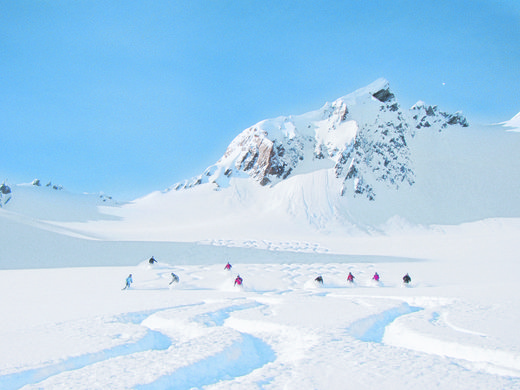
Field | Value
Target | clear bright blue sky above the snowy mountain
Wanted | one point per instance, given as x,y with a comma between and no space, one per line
128,97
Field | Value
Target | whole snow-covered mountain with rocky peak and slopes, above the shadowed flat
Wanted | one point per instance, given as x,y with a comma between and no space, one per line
362,164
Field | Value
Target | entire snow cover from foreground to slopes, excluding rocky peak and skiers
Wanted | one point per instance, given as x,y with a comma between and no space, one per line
67,323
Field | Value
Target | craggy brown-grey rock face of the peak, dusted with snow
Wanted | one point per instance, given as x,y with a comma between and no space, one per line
362,136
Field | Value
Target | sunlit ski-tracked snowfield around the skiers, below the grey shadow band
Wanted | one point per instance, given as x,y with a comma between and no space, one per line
75,328
